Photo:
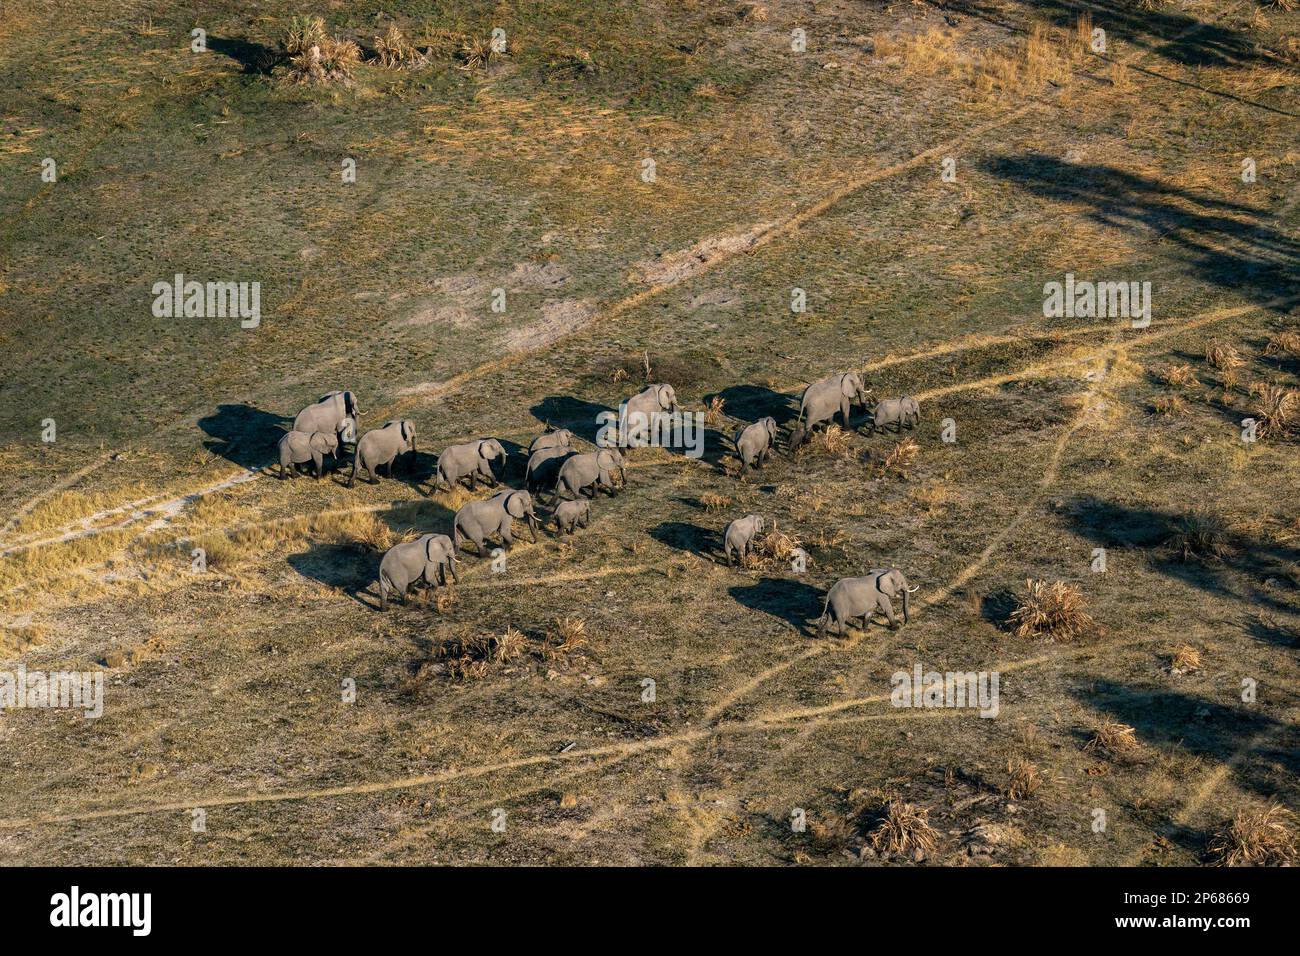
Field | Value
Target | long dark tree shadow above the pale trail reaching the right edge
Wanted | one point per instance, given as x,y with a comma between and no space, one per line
1258,262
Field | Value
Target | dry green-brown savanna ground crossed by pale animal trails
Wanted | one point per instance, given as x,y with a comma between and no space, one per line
775,170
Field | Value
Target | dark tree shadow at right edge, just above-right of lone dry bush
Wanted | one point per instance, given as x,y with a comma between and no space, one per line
1240,573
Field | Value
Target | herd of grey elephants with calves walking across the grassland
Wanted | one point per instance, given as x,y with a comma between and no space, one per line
574,479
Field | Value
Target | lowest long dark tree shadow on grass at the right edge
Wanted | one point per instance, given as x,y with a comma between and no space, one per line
1167,719
